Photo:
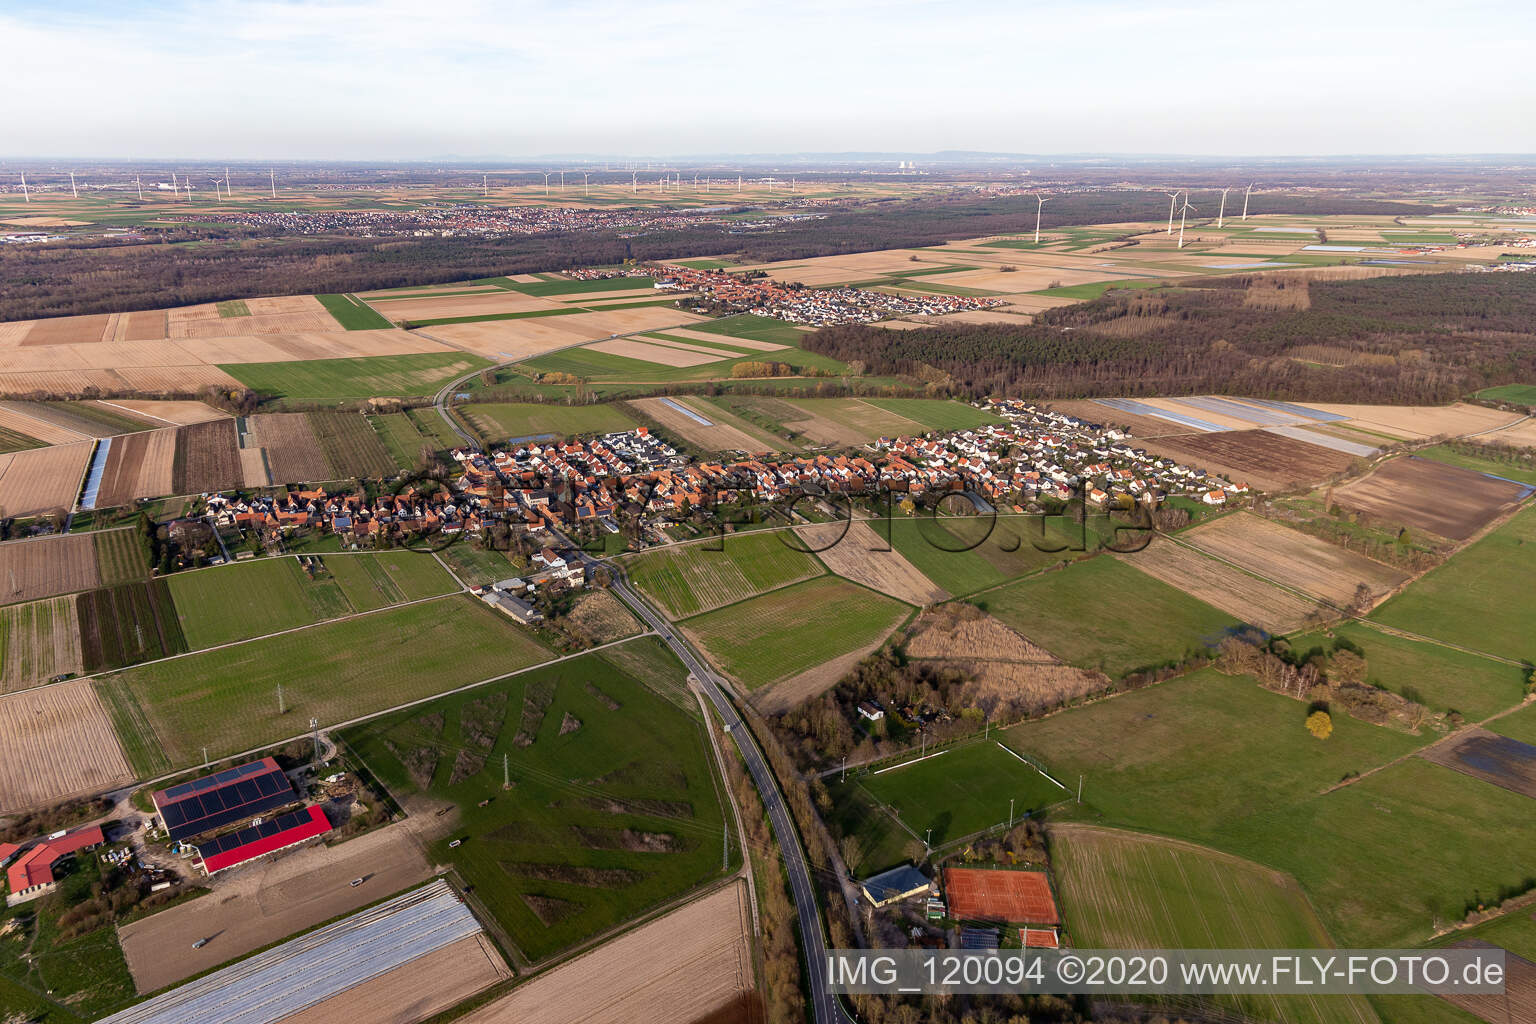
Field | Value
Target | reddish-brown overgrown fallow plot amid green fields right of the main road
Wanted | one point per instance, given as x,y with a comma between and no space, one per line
1008,670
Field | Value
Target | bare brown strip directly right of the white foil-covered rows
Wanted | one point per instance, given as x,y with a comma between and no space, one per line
417,991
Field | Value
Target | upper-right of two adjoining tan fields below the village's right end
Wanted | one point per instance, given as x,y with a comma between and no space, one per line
1293,560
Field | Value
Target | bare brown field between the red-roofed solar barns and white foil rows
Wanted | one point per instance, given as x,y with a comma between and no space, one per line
268,902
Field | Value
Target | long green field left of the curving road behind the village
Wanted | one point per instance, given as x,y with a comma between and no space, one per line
366,377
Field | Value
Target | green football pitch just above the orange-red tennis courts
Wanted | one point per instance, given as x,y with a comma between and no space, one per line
956,793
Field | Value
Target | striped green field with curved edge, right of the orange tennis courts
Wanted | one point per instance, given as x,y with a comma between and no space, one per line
1130,891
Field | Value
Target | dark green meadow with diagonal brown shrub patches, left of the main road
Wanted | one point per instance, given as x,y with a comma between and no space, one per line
558,837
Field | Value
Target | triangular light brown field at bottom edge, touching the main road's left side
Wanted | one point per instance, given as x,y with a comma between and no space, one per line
677,969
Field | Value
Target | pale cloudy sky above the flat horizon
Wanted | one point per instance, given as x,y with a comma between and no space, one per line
508,79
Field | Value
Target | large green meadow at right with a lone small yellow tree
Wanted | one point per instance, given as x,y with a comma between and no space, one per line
1220,761
